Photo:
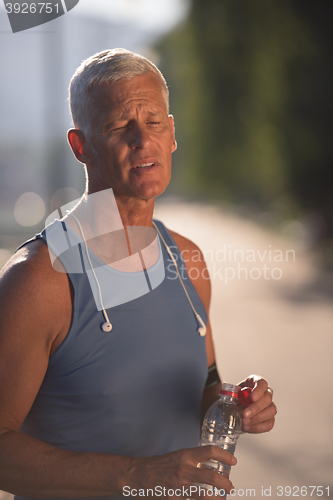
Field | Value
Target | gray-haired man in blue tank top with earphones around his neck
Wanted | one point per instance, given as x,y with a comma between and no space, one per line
97,394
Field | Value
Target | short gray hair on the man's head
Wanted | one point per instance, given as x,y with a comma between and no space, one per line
103,68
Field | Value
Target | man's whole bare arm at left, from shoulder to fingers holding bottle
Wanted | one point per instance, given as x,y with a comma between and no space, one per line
35,317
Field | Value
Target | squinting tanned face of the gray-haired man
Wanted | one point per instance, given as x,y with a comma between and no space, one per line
132,139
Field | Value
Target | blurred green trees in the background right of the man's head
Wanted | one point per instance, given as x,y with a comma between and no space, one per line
250,86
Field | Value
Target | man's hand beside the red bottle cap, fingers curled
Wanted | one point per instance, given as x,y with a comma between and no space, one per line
259,416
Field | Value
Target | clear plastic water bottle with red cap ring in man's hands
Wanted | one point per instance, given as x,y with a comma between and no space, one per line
221,427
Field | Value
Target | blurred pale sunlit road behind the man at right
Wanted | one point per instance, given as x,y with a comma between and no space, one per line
271,314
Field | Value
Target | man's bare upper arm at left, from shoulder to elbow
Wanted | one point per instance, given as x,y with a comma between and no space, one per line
35,314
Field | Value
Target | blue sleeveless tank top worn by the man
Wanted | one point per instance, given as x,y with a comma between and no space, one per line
136,390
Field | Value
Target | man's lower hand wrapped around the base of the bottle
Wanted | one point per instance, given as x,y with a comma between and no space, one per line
179,471
